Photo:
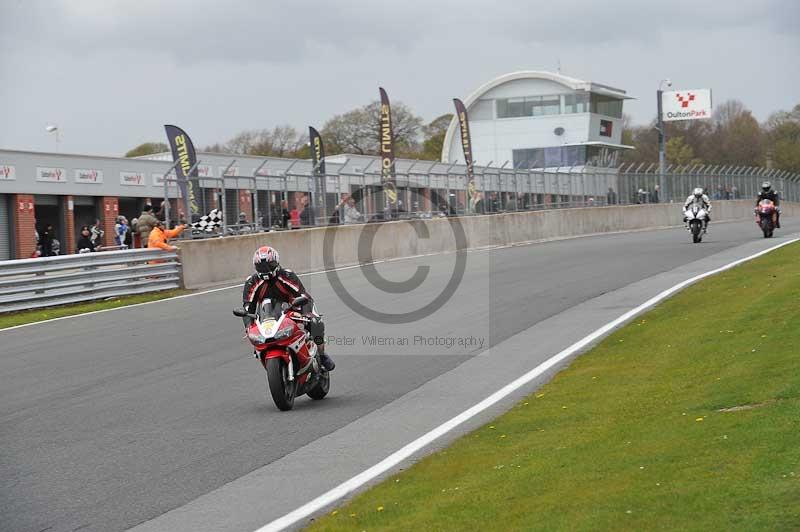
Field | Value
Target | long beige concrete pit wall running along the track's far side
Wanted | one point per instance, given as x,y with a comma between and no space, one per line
224,260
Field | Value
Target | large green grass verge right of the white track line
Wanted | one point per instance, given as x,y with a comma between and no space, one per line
632,435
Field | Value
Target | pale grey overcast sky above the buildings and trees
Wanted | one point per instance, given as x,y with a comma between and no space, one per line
111,73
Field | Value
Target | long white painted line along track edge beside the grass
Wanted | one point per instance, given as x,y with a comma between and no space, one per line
408,450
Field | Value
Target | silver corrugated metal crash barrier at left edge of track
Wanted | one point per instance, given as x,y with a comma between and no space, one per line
49,281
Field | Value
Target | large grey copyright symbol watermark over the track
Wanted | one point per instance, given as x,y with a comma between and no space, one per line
365,258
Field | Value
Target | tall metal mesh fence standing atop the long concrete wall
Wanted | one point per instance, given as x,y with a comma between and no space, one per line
285,199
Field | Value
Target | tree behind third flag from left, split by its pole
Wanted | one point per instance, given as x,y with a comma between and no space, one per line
358,131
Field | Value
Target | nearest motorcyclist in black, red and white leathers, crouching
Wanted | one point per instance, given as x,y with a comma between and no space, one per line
282,285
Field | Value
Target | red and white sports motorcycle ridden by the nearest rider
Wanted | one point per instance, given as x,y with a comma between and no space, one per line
287,352
